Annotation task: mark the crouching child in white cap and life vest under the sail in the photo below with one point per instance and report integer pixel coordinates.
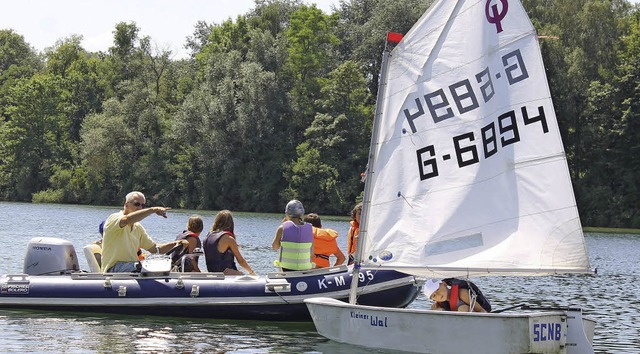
(451, 299)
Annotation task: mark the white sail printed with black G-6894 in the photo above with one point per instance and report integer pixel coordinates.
(470, 176)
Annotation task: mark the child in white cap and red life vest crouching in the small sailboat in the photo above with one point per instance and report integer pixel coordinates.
(453, 294)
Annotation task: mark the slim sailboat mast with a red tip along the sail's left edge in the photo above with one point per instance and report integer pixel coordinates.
(382, 82)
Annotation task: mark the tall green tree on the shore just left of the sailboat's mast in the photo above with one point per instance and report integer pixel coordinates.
(327, 171)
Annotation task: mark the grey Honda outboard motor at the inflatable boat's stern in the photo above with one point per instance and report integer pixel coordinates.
(50, 255)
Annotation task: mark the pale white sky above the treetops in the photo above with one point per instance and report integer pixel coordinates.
(167, 22)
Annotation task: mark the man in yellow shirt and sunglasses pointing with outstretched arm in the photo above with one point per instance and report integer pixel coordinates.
(123, 235)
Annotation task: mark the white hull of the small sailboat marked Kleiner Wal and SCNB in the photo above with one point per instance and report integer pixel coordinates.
(428, 331)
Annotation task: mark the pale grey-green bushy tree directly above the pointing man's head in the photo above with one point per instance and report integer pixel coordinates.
(125, 148)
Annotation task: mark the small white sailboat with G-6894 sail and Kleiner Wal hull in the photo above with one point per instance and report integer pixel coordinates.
(467, 177)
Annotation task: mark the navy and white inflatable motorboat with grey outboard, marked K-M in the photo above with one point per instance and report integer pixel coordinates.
(52, 281)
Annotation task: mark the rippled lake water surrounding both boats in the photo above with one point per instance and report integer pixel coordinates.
(612, 297)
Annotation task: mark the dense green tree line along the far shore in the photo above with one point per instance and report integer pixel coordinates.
(278, 103)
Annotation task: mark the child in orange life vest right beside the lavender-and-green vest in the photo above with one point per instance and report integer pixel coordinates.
(324, 243)
